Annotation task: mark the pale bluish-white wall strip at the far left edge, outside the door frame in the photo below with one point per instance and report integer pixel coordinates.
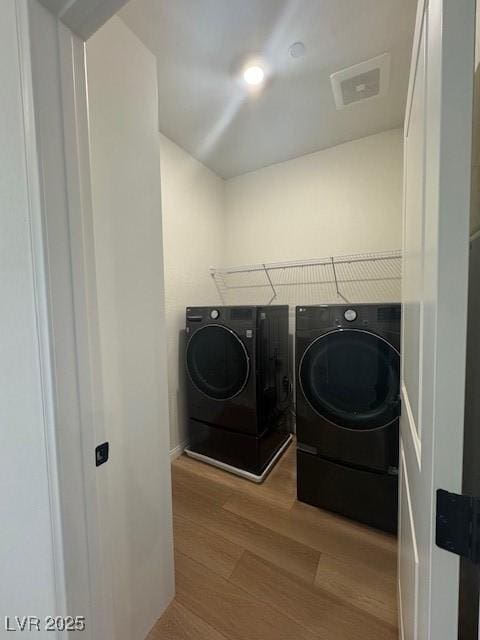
(27, 567)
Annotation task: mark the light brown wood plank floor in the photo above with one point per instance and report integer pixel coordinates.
(252, 563)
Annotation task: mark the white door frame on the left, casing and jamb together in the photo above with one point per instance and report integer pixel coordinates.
(57, 157)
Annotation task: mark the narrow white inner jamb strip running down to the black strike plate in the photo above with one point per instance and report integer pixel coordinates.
(87, 339)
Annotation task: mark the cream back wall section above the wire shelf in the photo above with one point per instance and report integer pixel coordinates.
(342, 200)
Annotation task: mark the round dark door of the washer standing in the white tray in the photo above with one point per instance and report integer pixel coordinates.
(217, 362)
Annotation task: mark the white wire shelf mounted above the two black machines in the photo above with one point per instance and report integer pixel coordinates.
(368, 277)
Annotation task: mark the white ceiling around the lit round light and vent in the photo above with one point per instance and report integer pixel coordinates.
(199, 45)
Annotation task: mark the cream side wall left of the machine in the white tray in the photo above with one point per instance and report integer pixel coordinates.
(193, 241)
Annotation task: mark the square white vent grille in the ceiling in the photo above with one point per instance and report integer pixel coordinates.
(363, 81)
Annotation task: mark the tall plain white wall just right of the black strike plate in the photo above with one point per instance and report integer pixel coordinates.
(122, 83)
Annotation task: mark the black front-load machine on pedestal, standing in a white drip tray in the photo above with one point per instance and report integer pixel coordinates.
(238, 386)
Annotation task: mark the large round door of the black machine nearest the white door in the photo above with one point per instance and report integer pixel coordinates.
(351, 378)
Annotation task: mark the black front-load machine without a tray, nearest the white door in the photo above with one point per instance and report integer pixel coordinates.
(348, 406)
